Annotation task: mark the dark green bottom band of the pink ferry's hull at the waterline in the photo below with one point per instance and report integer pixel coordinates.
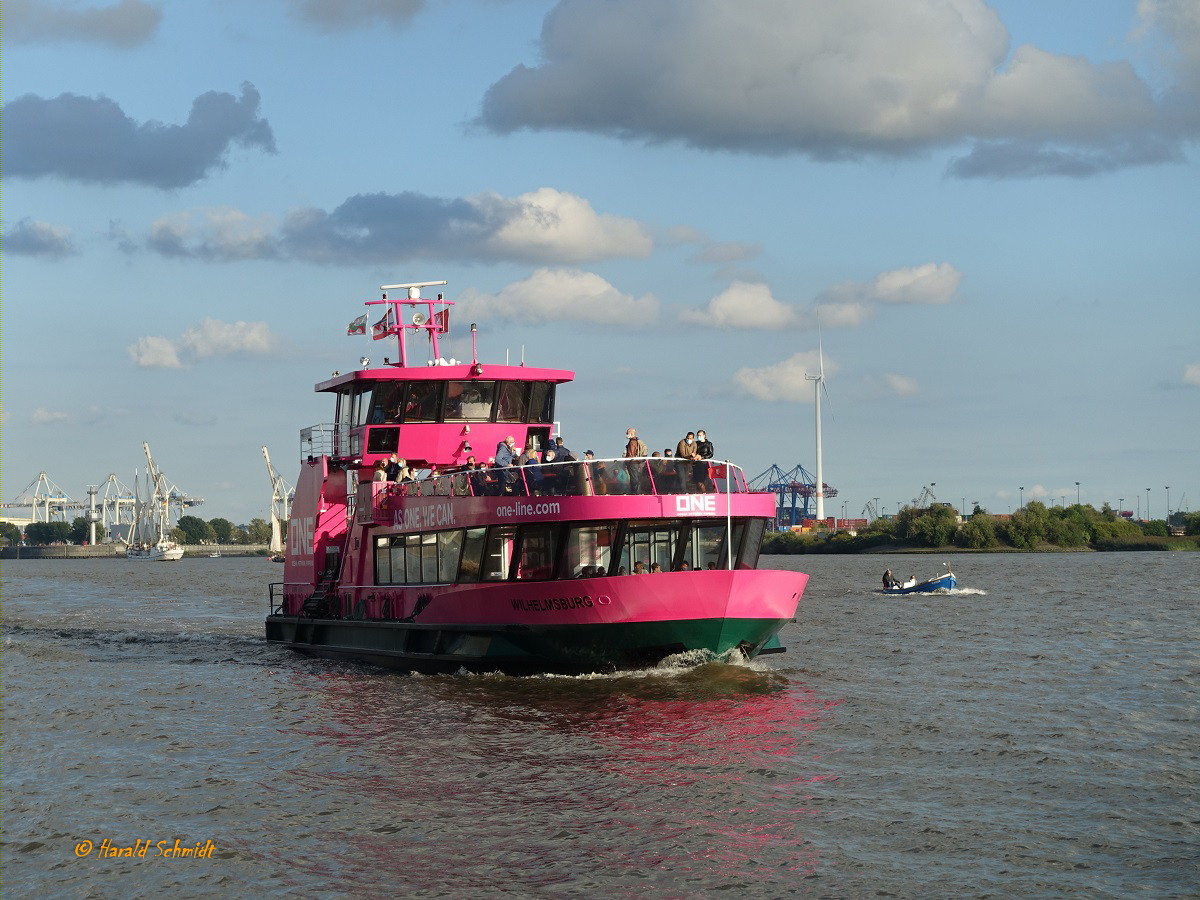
(524, 650)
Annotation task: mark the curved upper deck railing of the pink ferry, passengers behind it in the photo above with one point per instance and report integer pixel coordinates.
(591, 478)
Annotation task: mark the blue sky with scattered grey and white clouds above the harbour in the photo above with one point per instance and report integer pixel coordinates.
(985, 218)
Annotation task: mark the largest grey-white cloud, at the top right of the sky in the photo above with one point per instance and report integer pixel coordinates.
(845, 80)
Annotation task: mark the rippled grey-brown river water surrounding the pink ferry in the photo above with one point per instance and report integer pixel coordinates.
(1034, 734)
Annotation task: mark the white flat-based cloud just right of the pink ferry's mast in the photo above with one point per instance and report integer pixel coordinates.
(562, 295)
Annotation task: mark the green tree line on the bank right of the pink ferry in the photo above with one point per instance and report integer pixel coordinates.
(1034, 527)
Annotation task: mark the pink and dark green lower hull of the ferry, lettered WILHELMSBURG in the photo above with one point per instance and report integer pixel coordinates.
(715, 614)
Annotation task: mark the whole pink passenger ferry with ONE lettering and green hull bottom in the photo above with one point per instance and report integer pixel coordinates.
(527, 569)
